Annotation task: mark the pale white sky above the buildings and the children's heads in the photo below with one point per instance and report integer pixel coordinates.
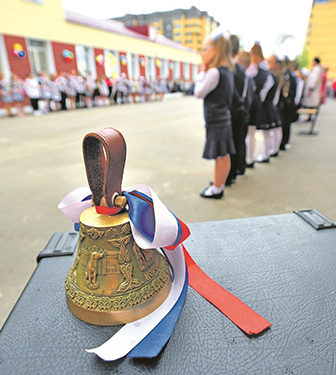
(262, 20)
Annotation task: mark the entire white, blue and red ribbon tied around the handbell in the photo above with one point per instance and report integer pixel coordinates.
(154, 226)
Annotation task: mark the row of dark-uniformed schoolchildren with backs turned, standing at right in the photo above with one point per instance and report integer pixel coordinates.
(244, 92)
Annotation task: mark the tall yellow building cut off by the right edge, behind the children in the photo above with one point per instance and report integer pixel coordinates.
(321, 35)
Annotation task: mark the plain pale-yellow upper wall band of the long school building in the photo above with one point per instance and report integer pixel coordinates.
(46, 21)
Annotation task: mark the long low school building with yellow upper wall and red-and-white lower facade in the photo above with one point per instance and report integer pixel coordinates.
(40, 35)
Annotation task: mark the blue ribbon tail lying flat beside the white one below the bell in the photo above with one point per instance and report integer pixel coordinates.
(154, 342)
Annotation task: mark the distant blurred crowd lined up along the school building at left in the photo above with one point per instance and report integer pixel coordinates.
(63, 91)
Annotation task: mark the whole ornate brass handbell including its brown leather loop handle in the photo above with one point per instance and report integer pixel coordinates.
(113, 281)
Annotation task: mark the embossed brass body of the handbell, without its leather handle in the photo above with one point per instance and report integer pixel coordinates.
(113, 281)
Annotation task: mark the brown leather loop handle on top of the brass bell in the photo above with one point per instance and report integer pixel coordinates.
(104, 154)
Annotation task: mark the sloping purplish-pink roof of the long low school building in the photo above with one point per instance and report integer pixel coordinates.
(119, 28)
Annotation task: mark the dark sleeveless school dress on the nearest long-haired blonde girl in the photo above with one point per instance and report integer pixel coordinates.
(219, 139)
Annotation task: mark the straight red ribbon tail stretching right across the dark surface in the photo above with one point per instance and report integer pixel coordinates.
(239, 313)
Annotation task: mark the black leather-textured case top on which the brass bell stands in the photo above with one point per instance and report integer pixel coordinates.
(278, 265)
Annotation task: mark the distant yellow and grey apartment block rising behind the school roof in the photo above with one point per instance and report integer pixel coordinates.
(188, 27)
